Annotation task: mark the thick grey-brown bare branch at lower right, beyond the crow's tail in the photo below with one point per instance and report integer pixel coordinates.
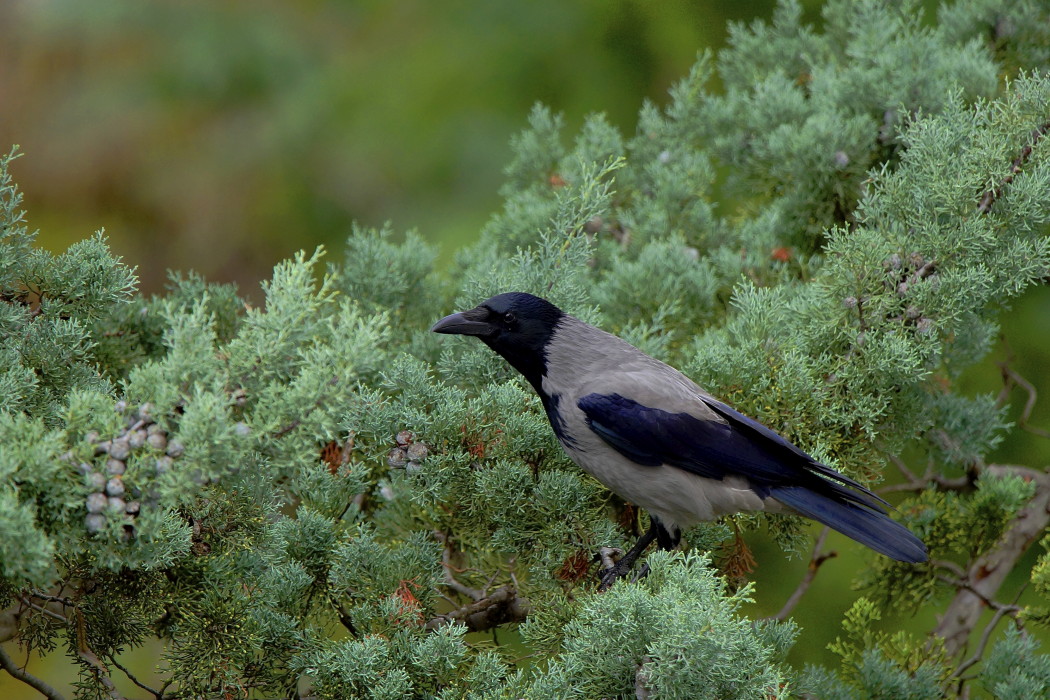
(986, 575)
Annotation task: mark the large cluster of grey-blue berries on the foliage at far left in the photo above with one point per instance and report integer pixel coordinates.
(109, 491)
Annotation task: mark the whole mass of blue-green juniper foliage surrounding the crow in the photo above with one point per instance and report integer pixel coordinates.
(300, 491)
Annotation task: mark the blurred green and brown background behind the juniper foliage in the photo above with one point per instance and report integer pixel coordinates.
(223, 136)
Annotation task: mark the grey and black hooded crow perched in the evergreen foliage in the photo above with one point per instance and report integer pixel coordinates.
(658, 440)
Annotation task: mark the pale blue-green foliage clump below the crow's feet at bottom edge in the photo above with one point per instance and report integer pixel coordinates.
(678, 634)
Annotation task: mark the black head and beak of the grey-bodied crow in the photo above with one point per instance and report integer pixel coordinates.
(515, 325)
